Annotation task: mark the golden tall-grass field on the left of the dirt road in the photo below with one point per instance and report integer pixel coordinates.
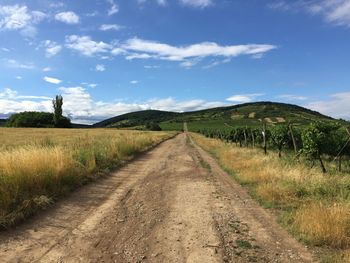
(37, 166)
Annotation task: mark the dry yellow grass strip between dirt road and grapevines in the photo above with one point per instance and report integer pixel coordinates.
(314, 207)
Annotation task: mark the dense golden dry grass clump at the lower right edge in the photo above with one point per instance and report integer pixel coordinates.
(323, 224)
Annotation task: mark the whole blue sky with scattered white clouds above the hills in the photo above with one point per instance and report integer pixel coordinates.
(108, 57)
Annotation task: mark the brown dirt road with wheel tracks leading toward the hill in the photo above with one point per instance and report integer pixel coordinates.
(172, 204)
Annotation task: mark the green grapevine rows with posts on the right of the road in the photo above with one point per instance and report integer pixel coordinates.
(319, 142)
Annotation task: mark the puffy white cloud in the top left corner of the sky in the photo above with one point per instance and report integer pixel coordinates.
(19, 17)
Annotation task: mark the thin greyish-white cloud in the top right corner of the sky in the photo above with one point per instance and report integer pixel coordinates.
(333, 11)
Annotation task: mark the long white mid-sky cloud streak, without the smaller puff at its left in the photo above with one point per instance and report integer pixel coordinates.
(145, 49)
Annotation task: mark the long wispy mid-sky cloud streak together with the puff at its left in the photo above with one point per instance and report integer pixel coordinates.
(188, 56)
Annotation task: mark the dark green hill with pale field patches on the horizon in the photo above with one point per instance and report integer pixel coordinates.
(248, 114)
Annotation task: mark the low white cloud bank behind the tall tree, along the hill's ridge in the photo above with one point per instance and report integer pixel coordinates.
(80, 106)
